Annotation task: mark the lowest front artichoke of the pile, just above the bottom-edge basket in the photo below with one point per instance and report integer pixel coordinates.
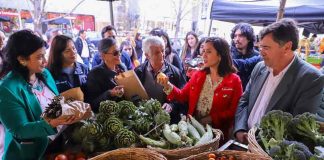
(124, 138)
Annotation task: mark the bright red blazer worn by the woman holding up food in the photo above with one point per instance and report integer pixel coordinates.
(225, 101)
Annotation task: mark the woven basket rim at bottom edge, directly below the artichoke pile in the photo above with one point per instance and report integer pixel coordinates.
(130, 154)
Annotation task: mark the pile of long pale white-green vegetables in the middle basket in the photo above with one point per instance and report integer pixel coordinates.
(184, 134)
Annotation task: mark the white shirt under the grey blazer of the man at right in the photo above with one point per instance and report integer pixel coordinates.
(262, 102)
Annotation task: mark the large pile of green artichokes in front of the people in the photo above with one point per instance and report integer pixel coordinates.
(118, 125)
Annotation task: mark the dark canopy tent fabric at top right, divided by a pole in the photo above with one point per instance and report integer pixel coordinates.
(308, 13)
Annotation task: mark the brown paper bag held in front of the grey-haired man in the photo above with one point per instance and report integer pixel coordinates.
(132, 85)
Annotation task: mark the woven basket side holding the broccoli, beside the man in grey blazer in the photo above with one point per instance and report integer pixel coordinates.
(253, 146)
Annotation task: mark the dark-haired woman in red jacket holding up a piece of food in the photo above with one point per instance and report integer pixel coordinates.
(213, 92)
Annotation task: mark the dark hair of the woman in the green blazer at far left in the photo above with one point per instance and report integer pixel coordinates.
(22, 43)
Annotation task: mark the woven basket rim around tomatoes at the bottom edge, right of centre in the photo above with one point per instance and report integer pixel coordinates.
(239, 155)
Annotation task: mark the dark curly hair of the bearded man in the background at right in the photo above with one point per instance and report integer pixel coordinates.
(247, 31)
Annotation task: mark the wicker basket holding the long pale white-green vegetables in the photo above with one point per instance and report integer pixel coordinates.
(179, 153)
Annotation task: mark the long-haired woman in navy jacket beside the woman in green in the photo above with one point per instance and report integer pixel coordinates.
(66, 71)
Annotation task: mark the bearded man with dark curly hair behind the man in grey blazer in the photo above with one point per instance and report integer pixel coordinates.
(243, 40)
